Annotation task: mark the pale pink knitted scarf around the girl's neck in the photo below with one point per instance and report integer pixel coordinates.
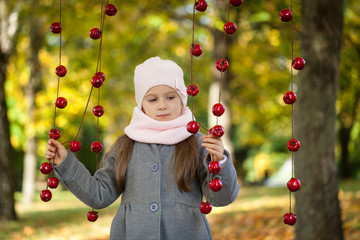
(144, 129)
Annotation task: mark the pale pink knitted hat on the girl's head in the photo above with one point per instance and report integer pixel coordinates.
(156, 71)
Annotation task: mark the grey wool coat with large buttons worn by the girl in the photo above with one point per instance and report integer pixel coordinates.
(152, 207)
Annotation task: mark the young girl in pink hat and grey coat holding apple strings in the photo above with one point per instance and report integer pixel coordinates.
(159, 168)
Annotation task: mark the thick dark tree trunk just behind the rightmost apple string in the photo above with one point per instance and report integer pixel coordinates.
(317, 204)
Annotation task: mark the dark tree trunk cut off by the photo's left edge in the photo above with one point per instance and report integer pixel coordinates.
(8, 26)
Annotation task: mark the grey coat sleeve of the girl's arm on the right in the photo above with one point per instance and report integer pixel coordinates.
(227, 175)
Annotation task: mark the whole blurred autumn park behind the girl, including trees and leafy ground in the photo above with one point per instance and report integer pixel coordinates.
(326, 122)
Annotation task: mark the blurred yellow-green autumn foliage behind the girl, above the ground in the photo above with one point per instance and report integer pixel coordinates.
(259, 74)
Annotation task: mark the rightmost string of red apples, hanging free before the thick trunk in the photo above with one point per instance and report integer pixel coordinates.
(294, 184)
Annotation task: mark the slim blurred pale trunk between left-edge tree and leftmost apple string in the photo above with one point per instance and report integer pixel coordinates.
(36, 39)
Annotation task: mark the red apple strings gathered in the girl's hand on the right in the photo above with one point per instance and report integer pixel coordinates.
(218, 109)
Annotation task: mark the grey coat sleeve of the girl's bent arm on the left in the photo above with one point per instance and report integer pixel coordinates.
(97, 191)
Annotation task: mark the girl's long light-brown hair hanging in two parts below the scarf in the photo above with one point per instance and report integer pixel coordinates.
(186, 160)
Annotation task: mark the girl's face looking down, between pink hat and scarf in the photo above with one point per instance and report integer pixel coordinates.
(162, 103)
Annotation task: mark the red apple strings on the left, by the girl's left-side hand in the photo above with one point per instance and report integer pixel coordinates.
(96, 81)
